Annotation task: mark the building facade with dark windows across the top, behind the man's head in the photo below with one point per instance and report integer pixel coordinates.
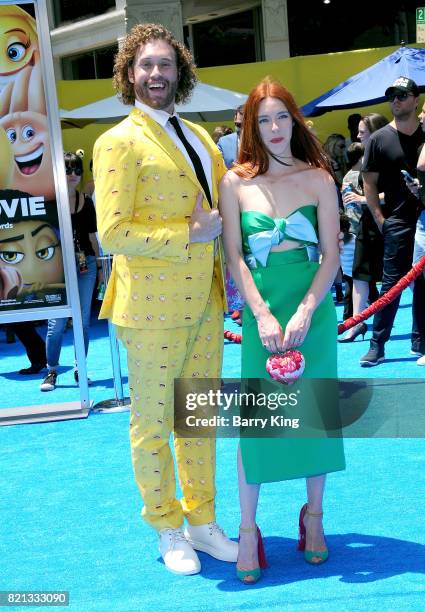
(86, 33)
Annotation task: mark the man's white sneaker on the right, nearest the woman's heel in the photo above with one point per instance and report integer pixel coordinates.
(210, 538)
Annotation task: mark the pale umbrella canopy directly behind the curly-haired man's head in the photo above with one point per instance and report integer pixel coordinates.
(207, 103)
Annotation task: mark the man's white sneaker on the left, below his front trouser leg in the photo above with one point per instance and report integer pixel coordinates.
(179, 556)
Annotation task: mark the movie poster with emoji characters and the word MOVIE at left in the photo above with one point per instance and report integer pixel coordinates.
(31, 264)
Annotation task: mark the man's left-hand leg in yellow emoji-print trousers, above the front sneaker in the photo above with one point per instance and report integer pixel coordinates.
(155, 358)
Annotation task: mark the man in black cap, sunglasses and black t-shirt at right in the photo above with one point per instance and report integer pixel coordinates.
(390, 150)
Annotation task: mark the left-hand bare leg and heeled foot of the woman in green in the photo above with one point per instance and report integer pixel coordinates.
(248, 498)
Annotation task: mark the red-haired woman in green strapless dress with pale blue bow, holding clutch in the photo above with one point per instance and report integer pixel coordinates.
(275, 202)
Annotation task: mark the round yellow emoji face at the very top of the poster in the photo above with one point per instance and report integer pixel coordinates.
(18, 42)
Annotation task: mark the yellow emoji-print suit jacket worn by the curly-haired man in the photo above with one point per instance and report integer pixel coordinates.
(145, 194)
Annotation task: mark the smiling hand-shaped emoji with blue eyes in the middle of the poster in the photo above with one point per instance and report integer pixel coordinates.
(28, 136)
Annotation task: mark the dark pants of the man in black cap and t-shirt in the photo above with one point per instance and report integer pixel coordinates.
(398, 254)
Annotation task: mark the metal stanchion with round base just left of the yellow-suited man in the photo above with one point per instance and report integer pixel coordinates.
(119, 403)
